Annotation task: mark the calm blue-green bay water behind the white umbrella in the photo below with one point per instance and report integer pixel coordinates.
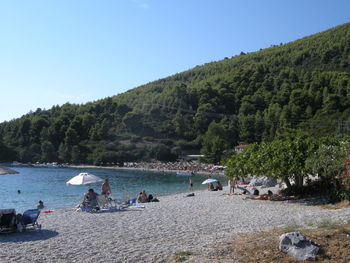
(49, 185)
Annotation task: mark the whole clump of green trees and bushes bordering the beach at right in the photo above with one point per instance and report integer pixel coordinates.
(294, 160)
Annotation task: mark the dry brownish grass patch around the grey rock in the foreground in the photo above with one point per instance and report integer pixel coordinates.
(333, 240)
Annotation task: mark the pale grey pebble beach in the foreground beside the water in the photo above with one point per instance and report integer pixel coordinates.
(158, 231)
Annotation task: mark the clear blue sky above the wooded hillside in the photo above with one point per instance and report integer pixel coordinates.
(53, 52)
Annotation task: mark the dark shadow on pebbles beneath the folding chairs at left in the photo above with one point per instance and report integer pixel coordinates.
(27, 236)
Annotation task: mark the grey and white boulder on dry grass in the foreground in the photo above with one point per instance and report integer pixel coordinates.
(298, 246)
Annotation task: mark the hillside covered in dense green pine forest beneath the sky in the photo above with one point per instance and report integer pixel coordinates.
(302, 86)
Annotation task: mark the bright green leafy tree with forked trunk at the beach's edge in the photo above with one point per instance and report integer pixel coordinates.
(281, 159)
